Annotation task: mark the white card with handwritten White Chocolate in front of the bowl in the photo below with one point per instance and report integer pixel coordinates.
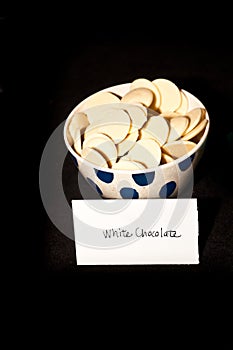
(136, 231)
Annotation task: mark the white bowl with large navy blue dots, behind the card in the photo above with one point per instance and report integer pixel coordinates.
(171, 180)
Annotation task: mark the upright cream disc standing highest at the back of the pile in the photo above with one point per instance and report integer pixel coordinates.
(170, 95)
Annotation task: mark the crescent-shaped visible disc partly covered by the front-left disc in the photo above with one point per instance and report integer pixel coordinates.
(104, 145)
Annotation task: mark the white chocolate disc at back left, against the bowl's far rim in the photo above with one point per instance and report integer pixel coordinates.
(98, 98)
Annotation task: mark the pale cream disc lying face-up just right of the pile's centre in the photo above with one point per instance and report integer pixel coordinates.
(156, 128)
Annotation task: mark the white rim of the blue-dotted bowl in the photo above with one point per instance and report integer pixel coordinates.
(175, 162)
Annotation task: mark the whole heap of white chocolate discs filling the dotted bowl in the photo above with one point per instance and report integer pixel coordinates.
(148, 126)
